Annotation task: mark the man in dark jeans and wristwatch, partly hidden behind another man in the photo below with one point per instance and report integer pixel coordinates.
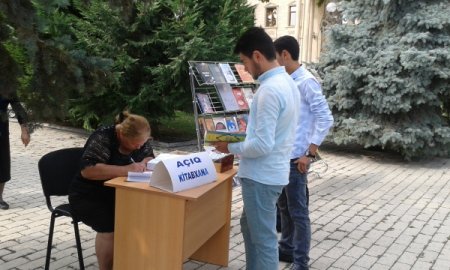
(314, 122)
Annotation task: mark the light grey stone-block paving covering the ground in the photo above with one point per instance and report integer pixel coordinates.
(368, 211)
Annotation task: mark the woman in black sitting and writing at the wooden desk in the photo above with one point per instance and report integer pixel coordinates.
(108, 153)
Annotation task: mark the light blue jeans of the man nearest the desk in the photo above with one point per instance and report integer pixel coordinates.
(258, 223)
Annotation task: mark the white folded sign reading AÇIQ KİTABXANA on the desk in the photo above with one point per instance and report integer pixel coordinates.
(184, 172)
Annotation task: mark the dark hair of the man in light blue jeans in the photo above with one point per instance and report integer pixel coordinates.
(255, 39)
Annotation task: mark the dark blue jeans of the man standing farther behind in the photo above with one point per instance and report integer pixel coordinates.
(295, 223)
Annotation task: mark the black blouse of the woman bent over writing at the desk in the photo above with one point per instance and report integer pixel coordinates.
(103, 147)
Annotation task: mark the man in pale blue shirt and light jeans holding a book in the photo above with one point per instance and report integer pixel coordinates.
(265, 153)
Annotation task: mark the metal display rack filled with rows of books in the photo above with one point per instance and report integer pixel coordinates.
(223, 93)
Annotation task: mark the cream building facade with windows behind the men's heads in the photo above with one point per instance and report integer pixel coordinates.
(301, 19)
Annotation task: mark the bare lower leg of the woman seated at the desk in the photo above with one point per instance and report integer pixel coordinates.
(104, 248)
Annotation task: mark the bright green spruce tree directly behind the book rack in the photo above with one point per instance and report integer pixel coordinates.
(150, 46)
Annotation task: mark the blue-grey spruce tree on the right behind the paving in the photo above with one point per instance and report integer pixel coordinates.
(387, 78)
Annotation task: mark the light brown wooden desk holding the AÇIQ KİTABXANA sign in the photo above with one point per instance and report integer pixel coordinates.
(159, 230)
